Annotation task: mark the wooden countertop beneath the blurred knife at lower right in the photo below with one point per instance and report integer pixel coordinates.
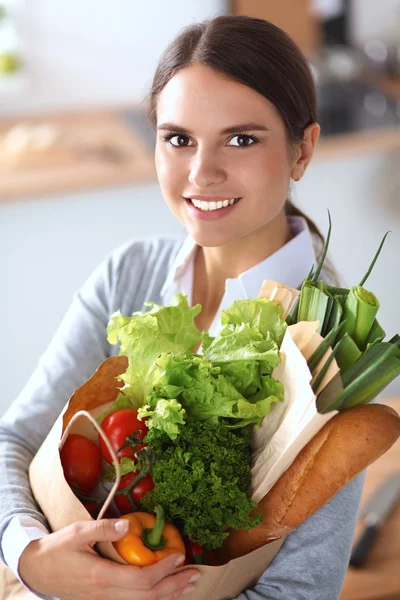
(379, 579)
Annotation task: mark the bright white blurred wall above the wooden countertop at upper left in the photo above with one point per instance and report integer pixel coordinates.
(93, 52)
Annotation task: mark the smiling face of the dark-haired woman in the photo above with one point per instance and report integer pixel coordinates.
(219, 140)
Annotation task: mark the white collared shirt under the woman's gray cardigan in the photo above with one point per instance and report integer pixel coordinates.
(289, 265)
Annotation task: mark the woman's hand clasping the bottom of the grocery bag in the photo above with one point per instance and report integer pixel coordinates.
(65, 565)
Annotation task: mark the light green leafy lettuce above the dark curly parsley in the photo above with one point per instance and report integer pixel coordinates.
(231, 382)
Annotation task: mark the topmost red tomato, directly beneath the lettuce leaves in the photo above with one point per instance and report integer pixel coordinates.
(118, 426)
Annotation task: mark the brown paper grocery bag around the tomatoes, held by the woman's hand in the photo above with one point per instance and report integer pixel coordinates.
(61, 507)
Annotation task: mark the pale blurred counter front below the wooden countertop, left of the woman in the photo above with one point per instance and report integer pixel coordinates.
(48, 247)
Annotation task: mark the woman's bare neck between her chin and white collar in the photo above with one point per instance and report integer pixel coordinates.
(214, 265)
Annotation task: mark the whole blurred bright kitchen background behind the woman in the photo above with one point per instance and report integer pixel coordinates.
(76, 161)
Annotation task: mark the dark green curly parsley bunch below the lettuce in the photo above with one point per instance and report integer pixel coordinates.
(202, 478)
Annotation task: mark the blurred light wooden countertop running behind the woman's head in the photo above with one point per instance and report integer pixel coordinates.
(111, 147)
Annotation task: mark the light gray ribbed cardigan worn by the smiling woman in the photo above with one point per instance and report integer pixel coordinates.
(312, 562)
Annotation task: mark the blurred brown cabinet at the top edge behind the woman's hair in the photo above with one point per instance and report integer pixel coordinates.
(294, 17)
